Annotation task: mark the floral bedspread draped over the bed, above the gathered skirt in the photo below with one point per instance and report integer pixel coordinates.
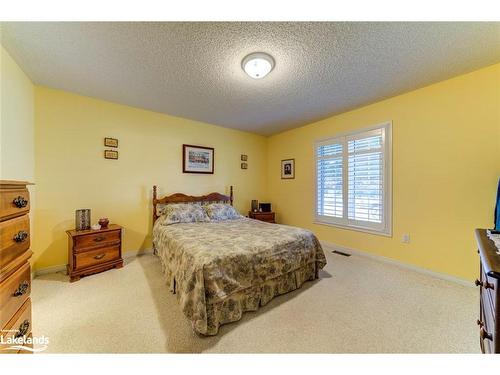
(206, 263)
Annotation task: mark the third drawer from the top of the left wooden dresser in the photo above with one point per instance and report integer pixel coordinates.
(14, 291)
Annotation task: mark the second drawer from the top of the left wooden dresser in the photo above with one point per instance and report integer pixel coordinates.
(14, 238)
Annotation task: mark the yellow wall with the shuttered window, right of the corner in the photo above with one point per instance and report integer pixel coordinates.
(446, 164)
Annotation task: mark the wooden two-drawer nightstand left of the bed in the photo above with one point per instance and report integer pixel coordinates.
(92, 251)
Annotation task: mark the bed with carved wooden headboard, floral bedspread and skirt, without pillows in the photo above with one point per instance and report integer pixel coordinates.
(219, 269)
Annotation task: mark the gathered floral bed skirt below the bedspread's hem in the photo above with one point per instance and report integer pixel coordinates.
(231, 309)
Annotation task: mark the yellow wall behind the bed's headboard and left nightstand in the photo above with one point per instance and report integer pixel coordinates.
(71, 172)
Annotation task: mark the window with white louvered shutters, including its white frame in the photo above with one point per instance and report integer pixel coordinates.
(354, 179)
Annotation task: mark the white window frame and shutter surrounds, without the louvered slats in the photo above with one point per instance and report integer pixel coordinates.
(385, 228)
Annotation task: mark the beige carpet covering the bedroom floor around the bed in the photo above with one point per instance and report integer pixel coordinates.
(358, 306)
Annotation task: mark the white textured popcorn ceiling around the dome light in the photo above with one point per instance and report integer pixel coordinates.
(193, 70)
